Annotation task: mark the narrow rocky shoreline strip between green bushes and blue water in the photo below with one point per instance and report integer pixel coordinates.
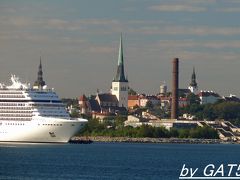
(150, 140)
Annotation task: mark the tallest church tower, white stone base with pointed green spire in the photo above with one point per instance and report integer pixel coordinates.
(120, 83)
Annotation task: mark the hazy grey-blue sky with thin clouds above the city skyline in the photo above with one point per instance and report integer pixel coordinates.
(78, 41)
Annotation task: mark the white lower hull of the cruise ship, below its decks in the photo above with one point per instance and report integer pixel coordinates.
(45, 130)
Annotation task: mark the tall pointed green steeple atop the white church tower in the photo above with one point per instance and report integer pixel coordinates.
(120, 76)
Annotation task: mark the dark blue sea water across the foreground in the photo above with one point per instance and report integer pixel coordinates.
(109, 160)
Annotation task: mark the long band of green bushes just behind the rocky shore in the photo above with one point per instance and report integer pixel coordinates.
(95, 128)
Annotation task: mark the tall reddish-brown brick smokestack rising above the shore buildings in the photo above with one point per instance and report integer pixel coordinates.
(174, 109)
